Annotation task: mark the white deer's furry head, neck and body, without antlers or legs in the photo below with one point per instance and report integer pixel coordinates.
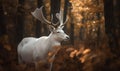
(33, 50)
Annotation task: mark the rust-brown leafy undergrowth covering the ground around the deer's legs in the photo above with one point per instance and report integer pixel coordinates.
(70, 58)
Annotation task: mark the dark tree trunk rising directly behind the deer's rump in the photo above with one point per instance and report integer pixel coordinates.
(20, 21)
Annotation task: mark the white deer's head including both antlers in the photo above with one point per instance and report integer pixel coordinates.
(56, 29)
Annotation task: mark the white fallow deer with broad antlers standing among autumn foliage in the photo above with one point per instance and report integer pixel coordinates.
(35, 50)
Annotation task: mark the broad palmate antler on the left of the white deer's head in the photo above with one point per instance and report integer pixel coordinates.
(38, 14)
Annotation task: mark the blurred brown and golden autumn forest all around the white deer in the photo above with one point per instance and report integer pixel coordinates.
(93, 27)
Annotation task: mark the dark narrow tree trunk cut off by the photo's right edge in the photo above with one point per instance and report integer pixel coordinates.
(117, 22)
